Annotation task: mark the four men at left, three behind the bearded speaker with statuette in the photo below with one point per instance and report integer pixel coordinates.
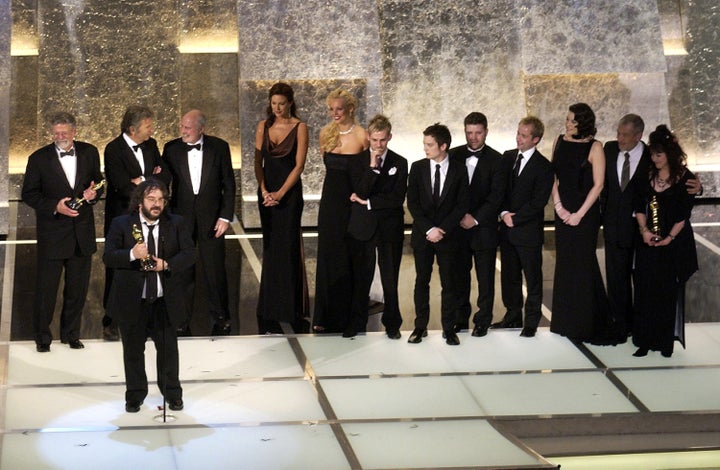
(149, 273)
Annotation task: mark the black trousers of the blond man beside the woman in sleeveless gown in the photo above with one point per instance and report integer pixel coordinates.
(517, 260)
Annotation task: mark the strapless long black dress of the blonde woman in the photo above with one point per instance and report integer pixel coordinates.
(333, 285)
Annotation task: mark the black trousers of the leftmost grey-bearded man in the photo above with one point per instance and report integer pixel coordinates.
(77, 278)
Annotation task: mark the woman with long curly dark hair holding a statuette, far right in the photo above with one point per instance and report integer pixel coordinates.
(666, 257)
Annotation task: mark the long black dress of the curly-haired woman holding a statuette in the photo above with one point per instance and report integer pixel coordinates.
(661, 271)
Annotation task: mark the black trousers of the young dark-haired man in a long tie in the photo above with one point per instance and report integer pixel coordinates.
(424, 258)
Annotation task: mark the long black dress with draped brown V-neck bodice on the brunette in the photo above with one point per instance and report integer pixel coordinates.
(283, 284)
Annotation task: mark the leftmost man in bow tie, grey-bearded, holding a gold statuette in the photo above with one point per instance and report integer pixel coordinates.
(55, 174)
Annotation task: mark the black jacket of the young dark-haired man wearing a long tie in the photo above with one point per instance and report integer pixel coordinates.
(453, 204)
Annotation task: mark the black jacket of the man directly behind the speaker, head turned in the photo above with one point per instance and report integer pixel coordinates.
(121, 166)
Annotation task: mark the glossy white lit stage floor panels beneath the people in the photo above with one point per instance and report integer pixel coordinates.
(312, 402)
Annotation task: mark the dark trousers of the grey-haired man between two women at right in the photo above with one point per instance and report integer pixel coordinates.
(618, 268)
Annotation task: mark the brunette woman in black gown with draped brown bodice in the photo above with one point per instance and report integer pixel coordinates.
(281, 143)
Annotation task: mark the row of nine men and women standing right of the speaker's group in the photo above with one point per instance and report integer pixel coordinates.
(466, 202)
